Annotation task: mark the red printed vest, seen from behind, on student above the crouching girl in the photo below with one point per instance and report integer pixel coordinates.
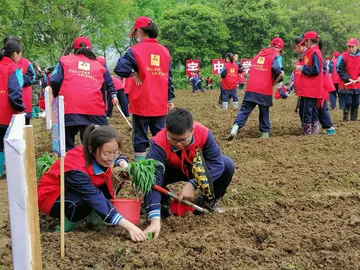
(81, 87)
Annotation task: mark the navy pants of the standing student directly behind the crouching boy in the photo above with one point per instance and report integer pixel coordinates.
(141, 124)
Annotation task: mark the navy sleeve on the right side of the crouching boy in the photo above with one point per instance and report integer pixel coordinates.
(213, 157)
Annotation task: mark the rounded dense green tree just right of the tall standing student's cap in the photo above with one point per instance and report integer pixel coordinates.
(194, 31)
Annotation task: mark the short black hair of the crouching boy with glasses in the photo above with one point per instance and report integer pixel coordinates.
(178, 121)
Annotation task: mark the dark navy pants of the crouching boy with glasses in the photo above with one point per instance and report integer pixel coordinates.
(173, 175)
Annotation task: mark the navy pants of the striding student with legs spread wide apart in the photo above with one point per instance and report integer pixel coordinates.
(264, 115)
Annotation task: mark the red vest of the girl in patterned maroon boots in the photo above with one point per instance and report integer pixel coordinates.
(311, 86)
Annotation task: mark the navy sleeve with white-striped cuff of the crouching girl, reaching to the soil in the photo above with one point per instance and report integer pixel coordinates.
(81, 183)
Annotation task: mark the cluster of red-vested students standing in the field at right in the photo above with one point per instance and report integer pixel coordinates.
(314, 80)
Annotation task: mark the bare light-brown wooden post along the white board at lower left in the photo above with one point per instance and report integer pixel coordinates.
(32, 201)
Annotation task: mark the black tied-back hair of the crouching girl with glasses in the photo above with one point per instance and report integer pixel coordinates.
(96, 136)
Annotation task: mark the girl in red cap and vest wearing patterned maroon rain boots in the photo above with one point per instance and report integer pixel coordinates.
(309, 83)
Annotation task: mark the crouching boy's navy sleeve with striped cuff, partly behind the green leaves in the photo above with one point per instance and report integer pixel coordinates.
(153, 199)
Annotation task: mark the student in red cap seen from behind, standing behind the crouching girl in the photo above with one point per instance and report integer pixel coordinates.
(79, 77)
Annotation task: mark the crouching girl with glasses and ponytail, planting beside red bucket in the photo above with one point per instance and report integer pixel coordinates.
(88, 184)
